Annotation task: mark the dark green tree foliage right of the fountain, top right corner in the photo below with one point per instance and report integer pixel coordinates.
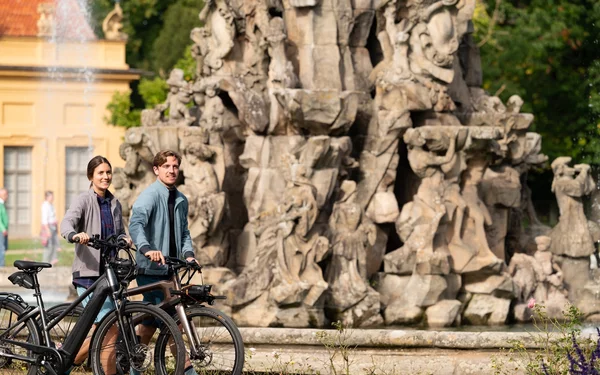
(547, 52)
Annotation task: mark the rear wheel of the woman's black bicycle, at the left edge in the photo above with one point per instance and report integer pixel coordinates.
(28, 332)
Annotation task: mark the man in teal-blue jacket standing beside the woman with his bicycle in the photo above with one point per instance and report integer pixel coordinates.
(159, 228)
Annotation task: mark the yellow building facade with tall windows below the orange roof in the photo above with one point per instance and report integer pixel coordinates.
(53, 99)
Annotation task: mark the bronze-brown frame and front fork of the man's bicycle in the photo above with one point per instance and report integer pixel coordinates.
(170, 300)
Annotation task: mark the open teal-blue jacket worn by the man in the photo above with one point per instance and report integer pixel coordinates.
(149, 227)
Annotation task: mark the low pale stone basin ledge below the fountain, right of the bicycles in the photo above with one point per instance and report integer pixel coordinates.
(298, 351)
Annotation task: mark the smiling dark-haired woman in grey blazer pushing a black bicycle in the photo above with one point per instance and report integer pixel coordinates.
(96, 211)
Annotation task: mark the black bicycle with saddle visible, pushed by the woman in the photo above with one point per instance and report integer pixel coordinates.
(26, 342)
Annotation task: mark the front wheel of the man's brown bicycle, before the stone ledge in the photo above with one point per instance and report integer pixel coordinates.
(221, 349)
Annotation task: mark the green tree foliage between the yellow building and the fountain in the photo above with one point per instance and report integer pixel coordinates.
(159, 40)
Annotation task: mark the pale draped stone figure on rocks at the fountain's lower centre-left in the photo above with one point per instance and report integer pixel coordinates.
(284, 272)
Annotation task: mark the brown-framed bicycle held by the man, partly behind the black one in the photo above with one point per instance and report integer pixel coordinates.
(213, 342)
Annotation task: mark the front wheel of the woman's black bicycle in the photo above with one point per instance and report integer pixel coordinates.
(109, 353)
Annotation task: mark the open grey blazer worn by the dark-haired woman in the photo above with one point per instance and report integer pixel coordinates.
(84, 216)
